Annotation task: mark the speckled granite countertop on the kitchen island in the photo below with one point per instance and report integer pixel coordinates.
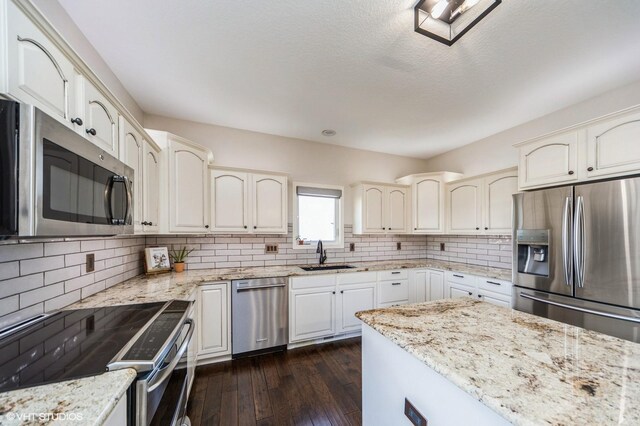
(528, 369)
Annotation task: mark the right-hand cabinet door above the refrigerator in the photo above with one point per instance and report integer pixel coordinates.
(613, 147)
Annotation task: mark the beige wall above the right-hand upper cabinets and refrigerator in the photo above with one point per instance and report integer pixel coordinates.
(497, 152)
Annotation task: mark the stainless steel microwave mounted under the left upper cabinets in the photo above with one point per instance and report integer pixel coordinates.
(56, 183)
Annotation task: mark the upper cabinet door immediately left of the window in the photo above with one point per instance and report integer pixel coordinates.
(269, 204)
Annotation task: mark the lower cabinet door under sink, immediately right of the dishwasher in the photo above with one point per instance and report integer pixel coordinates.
(312, 314)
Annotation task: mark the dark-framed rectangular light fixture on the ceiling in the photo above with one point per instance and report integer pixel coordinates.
(448, 20)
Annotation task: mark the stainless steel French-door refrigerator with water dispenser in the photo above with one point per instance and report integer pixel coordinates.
(576, 255)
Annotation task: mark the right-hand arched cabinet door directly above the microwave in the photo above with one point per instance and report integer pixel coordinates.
(100, 119)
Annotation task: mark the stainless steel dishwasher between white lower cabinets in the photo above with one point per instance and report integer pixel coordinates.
(259, 315)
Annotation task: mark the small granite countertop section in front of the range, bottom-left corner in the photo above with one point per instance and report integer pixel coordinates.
(89, 400)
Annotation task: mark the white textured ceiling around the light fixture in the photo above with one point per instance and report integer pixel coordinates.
(294, 68)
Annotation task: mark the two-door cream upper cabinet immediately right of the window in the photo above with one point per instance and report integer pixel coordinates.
(380, 208)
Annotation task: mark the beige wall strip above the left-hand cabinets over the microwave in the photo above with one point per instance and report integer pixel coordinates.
(63, 23)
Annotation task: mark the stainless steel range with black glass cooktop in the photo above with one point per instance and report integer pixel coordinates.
(152, 338)
